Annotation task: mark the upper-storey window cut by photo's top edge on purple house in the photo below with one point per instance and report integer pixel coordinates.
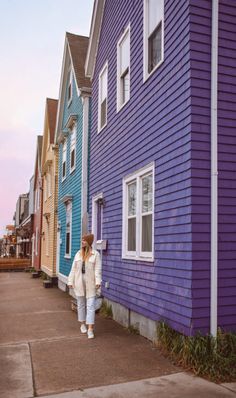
(153, 35)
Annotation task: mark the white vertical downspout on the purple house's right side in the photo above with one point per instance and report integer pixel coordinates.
(214, 168)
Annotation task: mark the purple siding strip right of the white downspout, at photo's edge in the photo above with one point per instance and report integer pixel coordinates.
(227, 165)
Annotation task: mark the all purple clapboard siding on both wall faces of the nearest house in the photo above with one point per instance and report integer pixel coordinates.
(167, 121)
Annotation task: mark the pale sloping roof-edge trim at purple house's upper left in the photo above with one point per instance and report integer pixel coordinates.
(96, 23)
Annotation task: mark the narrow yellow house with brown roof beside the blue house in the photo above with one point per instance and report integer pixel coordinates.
(50, 191)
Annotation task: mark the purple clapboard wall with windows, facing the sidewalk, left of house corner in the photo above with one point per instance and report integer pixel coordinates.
(154, 126)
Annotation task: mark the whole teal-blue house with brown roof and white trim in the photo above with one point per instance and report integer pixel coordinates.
(72, 130)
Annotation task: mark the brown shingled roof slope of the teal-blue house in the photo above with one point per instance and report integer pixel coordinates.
(78, 46)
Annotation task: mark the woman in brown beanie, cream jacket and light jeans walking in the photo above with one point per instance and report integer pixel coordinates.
(85, 278)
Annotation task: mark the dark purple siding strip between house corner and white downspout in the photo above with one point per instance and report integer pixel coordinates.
(200, 17)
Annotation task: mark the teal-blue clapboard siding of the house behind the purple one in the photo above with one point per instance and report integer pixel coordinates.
(72, 184)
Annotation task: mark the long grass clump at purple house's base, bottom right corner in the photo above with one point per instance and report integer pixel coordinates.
(206, 356)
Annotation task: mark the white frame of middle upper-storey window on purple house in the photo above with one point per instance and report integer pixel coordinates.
(120, 105)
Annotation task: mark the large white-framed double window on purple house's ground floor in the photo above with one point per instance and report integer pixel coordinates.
(138, 194)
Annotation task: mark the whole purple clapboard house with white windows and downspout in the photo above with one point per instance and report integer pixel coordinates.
(163, 161)
